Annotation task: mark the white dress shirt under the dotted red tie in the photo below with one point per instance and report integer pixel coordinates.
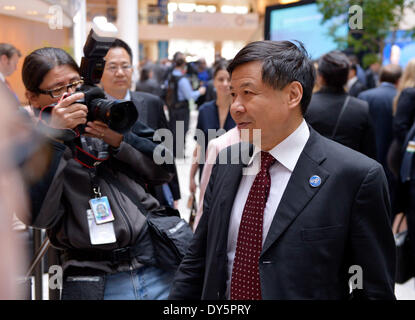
(286, 153)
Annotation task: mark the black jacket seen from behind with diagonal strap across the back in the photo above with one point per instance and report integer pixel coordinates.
(355, 129)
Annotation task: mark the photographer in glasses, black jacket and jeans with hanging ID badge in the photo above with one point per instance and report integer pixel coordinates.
(111, 259)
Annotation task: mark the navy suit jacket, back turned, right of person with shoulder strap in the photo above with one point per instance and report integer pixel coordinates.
(380, 101)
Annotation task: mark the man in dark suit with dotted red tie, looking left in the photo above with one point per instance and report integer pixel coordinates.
(314, 214)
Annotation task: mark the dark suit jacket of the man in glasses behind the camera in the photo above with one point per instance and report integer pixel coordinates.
(151, 112)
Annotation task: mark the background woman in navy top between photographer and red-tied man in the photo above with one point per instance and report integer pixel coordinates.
(213, 115)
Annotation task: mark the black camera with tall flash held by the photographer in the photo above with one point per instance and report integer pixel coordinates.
(119, 115)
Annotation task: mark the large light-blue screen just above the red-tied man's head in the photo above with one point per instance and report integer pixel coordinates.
(303, 23)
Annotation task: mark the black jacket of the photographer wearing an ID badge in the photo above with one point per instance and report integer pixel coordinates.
(60, 200)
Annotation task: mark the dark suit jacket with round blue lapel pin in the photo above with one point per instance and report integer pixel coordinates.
(317, 234)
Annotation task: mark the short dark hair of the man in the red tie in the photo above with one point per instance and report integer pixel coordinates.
(282, 63)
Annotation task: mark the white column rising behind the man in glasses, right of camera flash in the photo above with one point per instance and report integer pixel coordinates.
(127, 23)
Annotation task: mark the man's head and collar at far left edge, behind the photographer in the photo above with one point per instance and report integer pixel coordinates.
(9, 58)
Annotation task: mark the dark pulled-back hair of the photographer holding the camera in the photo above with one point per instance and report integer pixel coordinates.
(37, 64)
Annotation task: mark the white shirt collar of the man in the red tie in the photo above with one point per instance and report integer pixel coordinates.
(288, 151)
